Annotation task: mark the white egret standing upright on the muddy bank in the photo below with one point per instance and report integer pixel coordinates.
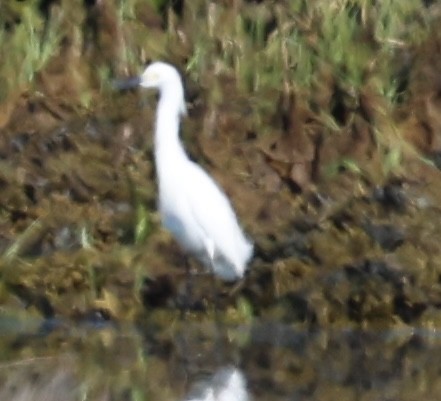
(192, 206)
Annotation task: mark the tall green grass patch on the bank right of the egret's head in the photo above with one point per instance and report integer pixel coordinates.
(353, 39)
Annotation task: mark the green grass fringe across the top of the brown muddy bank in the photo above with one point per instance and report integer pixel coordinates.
(348, 47)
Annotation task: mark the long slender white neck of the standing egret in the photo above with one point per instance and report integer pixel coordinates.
(168, 147)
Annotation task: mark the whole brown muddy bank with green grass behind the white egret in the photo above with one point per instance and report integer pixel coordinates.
(320, 121)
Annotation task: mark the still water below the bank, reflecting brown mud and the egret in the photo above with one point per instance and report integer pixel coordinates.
(275, 361)
